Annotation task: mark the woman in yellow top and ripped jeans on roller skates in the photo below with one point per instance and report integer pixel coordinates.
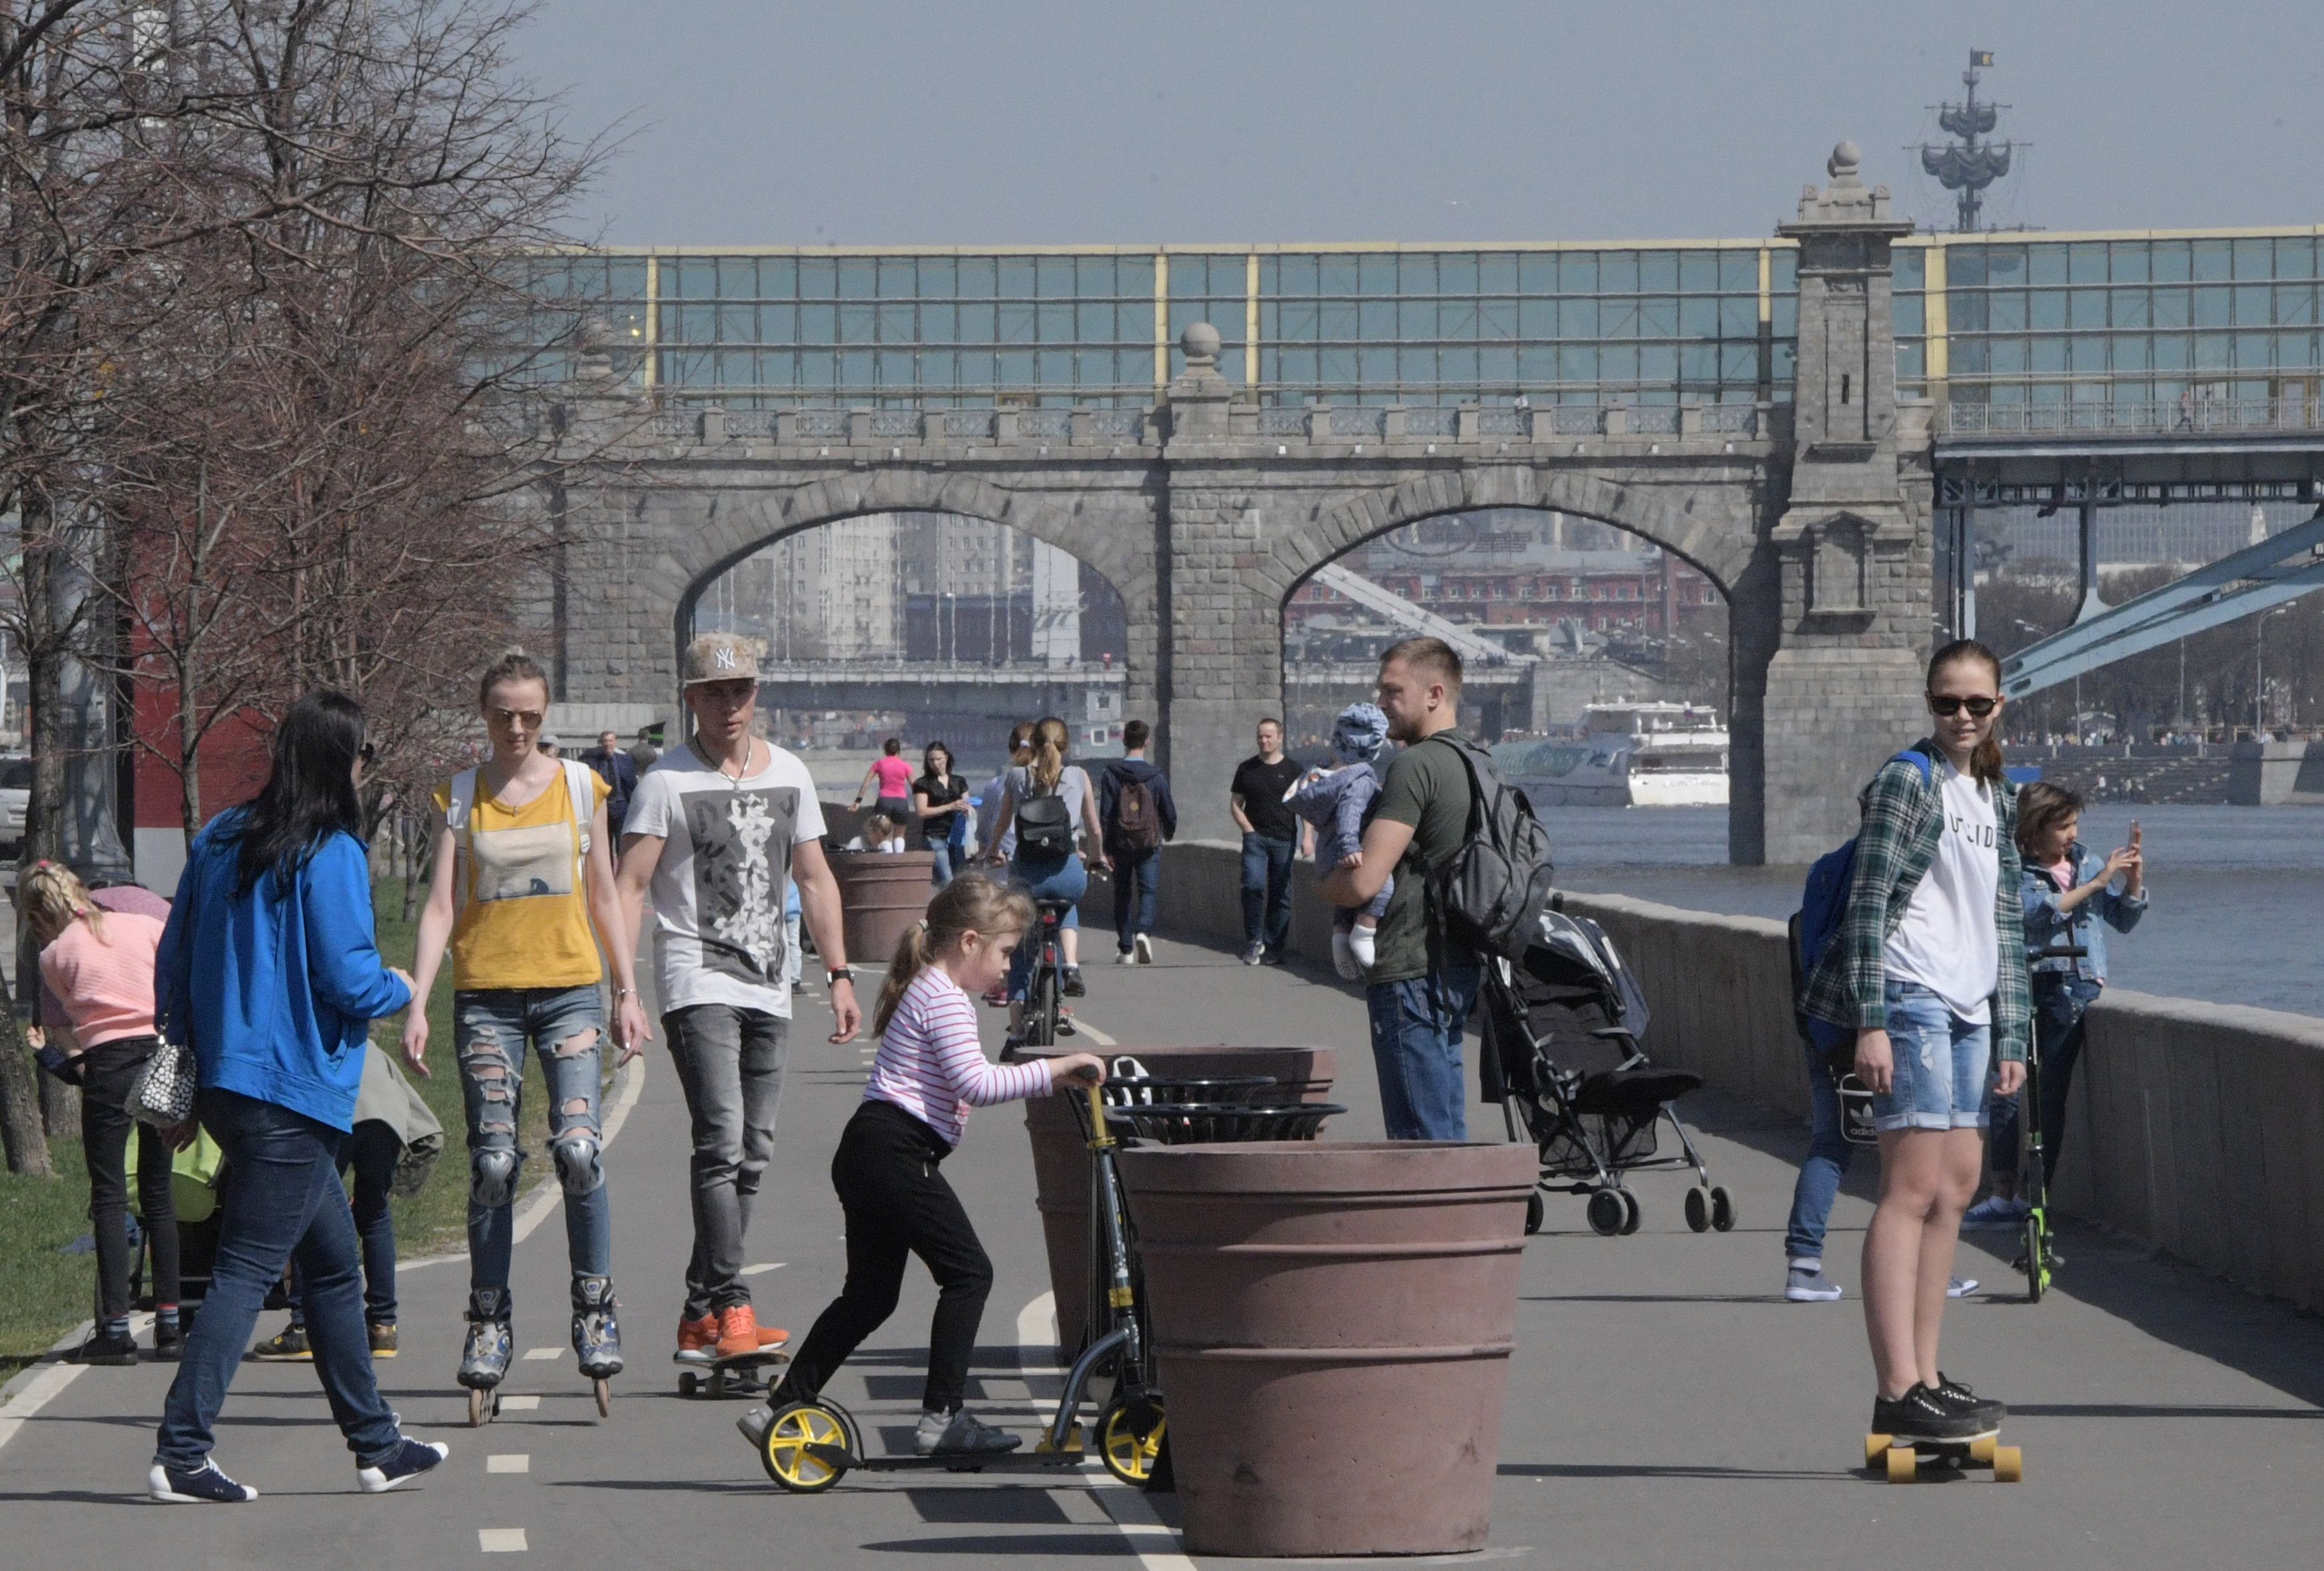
(526, 840)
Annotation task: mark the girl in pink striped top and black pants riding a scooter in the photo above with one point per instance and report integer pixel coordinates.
(926, 1077)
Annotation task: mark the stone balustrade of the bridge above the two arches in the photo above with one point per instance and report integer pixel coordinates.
(1307, 424)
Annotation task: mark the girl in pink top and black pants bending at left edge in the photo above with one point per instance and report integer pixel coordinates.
(101, 968)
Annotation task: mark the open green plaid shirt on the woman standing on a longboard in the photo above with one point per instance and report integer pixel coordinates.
(1895, 847)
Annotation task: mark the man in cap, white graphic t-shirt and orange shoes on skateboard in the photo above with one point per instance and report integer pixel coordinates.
(715, 833)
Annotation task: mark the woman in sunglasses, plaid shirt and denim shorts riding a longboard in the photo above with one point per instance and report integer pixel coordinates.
(1928, 970)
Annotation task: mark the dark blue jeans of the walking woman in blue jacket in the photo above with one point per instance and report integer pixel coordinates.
(282, 1203)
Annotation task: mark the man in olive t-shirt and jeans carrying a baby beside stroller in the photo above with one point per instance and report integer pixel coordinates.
(1423, 984)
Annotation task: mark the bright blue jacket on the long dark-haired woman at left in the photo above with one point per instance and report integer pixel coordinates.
(275, 991)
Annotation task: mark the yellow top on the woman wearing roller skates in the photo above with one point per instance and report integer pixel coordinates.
(524, 917)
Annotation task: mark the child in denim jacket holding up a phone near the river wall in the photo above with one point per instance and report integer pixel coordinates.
(2070, 903)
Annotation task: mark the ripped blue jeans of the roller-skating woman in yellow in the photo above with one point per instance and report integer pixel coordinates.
(492, 1031)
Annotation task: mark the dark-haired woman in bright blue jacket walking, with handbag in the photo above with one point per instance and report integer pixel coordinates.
(271, 973)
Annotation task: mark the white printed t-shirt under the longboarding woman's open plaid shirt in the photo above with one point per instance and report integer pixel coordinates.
(1946, 940)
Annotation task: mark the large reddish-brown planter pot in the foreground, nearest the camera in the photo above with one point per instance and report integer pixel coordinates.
(1333, 1326)
